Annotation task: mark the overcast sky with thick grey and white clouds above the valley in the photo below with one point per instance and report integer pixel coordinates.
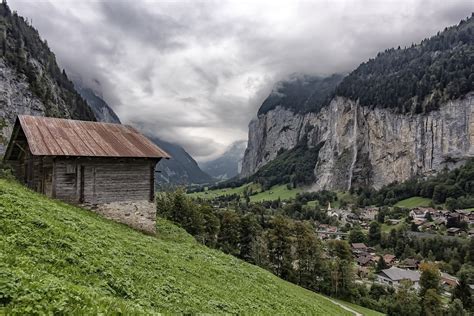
(195, 72)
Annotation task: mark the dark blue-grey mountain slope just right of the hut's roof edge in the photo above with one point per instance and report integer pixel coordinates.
(181, 169)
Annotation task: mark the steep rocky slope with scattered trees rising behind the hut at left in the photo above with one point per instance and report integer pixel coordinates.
(31, 81)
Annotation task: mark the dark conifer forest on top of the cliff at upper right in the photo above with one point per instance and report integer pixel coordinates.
(419, 78)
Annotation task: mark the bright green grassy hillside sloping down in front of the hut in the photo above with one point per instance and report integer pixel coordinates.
(56, 258)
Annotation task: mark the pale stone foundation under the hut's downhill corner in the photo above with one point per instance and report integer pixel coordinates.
(140, 215)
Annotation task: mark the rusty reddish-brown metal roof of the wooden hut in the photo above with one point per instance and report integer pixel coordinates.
(48, 136)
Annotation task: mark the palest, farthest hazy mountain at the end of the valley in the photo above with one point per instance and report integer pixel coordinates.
(228, 164)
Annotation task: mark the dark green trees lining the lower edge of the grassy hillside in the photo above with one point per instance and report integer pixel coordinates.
(291, 249)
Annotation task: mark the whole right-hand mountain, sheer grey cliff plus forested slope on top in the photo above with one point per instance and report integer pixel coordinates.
(374, 145)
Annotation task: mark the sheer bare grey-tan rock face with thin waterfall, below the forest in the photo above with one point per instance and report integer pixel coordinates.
(364, 146)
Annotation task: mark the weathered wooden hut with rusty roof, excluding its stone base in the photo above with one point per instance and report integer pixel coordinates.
(83, 162)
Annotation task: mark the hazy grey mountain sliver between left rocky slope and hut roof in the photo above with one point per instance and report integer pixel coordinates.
(102, 111)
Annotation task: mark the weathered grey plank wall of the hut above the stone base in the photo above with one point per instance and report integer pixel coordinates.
(103, 180)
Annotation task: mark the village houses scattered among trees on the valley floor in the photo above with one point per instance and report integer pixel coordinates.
(377, 265)
